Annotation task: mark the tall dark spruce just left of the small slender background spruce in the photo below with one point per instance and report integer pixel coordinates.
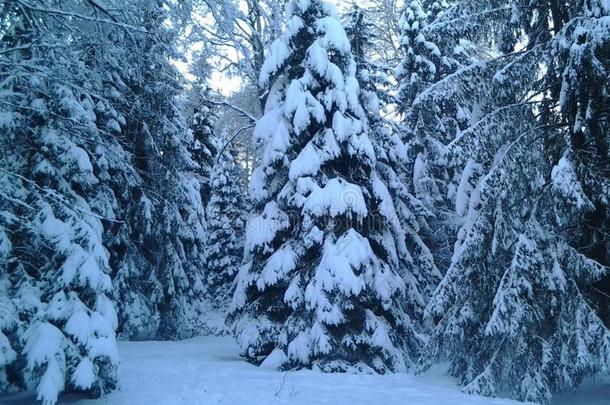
(161, 290)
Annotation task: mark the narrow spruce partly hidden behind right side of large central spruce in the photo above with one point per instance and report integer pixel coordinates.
(415, 259)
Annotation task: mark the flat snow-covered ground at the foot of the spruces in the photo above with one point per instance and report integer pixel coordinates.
(207, 370)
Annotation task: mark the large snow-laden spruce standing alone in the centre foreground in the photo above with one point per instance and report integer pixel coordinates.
(320, 284)
